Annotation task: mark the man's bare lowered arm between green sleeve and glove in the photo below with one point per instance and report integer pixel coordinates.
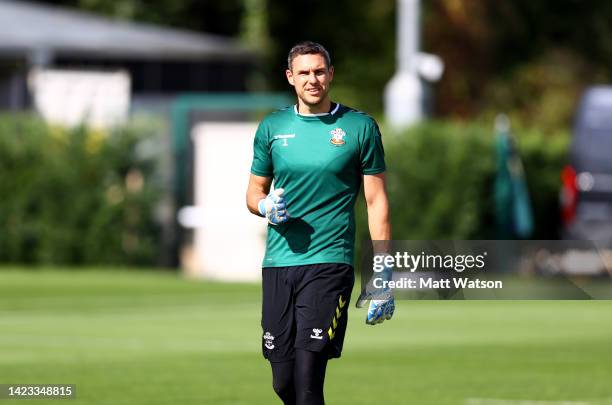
(378, 210)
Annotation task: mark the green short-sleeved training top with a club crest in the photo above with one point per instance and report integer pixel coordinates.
(318, 159)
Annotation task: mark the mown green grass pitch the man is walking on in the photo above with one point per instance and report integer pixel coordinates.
(154, 338)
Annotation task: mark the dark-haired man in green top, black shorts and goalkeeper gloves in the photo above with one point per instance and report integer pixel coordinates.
(317, 153)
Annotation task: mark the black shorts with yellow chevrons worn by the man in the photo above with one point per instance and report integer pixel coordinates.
(305, 307)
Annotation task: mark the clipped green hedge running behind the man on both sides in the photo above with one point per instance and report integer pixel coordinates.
(80, 196)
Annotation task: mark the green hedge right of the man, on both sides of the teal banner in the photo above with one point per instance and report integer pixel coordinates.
(440, 178)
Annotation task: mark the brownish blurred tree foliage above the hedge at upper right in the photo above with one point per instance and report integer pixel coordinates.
(530, 59)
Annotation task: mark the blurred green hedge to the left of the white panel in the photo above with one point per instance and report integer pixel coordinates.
(75, 196)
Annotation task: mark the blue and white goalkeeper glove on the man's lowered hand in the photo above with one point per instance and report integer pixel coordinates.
(382, 302)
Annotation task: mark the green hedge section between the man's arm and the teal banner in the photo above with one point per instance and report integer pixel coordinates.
(439, 177)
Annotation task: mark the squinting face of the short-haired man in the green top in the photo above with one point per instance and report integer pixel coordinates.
(311, 78)
